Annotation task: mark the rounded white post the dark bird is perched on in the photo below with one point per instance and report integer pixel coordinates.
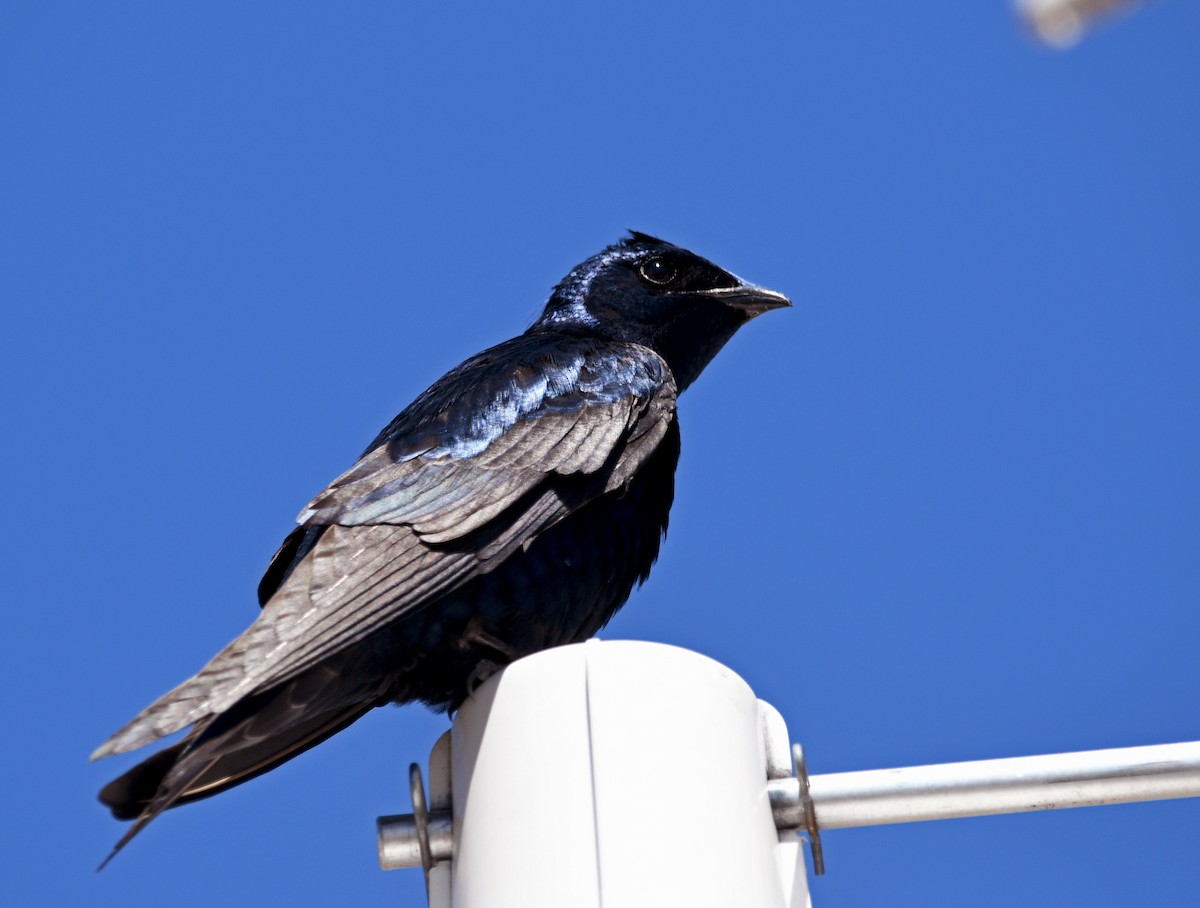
(611, 774)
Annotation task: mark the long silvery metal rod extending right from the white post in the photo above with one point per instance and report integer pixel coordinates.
(993, 786)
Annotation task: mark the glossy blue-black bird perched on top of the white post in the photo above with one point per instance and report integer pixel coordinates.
(512, 508)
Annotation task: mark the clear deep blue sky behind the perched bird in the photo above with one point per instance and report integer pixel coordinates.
(947, 508)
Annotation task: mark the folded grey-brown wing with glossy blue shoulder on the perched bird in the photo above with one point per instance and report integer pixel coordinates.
(433, 506)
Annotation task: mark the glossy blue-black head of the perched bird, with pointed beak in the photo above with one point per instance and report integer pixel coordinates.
(646, 291)
